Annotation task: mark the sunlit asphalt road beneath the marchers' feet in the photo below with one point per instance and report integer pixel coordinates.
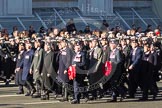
(9, 99)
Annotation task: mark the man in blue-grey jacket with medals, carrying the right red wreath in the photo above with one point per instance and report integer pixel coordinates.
(116, 59)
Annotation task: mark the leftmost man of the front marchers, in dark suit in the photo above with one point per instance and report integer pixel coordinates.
(18, 77)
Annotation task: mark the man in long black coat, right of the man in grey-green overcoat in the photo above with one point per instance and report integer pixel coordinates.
(48, 72)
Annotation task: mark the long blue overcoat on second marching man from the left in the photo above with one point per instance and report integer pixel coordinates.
(28, 57)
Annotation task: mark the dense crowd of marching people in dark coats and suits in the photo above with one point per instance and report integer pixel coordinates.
(40, 61)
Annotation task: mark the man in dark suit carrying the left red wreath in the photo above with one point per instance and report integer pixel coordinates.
(79, 61)
